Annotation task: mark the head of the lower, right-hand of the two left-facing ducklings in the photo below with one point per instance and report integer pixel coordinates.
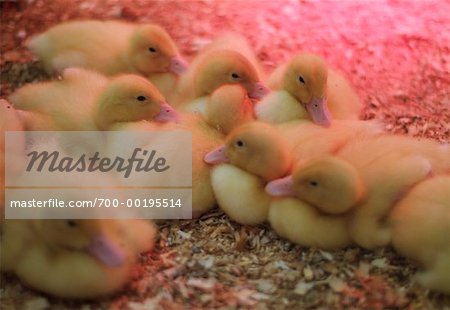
(330, 184)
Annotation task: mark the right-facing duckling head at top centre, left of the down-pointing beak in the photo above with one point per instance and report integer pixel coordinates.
(213, 68)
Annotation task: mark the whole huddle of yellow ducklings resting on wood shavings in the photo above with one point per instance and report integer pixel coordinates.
(288, 149)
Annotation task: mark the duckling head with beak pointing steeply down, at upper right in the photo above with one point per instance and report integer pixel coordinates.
(306, 80)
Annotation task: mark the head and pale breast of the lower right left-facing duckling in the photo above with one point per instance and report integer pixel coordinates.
(312, 210)
